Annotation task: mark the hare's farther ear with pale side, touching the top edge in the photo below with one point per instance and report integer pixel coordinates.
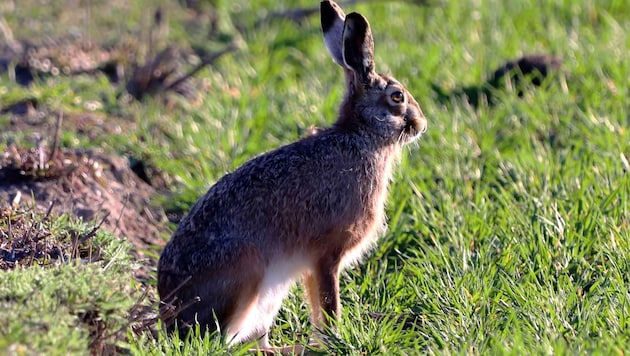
(332, 26)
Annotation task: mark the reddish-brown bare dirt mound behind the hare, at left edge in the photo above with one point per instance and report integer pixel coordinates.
(96, 187)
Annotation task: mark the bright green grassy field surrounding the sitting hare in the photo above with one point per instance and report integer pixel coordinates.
(509, 222)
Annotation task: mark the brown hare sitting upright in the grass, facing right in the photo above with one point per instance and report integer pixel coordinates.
(305, 210)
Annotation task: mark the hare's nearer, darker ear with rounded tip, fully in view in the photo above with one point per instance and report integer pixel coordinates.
(358, 47)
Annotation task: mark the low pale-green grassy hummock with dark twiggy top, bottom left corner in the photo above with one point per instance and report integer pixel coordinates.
(58, 305)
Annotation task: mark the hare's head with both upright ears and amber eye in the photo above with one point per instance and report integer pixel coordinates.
(374, 102)
